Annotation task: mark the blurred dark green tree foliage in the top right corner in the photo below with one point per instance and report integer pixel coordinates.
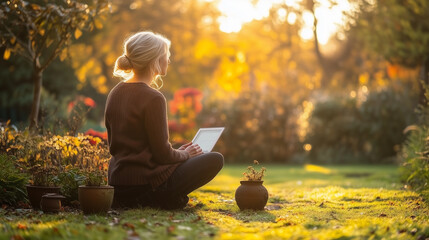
(398, 30)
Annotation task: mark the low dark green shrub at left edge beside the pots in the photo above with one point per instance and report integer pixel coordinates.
(12, 181)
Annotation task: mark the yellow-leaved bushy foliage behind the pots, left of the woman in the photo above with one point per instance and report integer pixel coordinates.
(66, 161)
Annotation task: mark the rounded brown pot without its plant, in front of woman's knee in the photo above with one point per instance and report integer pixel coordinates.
(251, 195)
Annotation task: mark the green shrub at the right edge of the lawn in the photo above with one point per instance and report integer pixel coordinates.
(415, 150)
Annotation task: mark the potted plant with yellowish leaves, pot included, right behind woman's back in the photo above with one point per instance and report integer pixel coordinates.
(95, 196)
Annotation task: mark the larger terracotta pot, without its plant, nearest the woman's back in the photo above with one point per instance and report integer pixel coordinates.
(95, 199)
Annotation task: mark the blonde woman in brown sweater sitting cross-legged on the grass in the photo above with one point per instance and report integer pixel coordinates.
(144, 169)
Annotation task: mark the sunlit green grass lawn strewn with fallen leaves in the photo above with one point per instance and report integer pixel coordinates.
(337, 202)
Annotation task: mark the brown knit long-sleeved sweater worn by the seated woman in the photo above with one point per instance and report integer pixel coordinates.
(136, 122)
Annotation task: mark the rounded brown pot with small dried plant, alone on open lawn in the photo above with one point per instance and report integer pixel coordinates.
(251, 194)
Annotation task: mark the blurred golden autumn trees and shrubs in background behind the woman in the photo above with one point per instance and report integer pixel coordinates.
(292, 81)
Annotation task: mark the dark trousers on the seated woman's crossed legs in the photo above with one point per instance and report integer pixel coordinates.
(172, 194)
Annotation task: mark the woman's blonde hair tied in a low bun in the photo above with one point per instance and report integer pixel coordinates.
(142, 52)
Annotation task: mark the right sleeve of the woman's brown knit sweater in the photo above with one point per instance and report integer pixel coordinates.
(157, 131)
